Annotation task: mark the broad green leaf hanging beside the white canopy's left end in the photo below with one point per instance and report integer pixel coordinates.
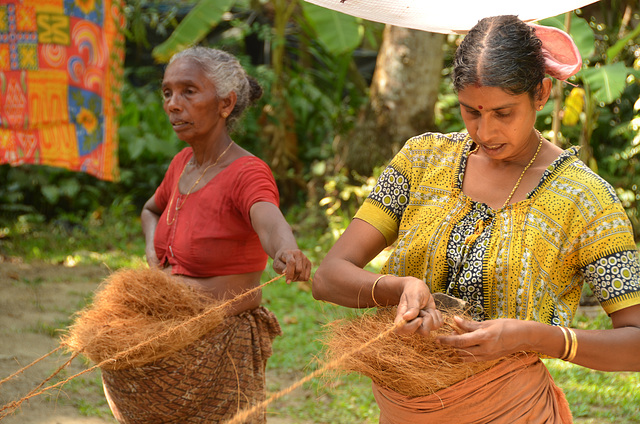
(338, 32)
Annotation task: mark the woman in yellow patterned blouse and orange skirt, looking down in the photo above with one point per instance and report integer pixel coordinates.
(505, 220)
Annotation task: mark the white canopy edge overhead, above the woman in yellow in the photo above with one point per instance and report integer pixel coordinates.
(448, 16)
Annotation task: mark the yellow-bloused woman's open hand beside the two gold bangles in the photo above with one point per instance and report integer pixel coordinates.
(487, 340)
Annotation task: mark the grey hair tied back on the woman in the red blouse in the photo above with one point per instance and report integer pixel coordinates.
(227, 75)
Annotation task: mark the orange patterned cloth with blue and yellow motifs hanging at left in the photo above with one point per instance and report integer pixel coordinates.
(60, 76)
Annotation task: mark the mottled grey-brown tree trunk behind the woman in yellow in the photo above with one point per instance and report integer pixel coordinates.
(403, 94)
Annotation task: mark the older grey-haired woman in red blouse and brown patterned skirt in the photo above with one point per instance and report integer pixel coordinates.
(211, 223)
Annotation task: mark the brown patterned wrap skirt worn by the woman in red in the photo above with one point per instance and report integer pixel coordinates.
(210, 381)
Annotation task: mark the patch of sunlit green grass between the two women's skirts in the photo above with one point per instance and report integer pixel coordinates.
(298, 352)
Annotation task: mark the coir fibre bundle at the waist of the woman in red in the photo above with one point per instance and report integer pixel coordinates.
(139, 316)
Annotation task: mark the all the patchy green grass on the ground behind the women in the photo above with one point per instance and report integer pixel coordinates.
(116, 241)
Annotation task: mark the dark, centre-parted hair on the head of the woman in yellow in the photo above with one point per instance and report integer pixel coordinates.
(503, 52)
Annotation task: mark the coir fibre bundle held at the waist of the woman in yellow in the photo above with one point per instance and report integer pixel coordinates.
(411, 365)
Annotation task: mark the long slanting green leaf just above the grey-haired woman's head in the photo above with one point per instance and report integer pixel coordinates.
(193, 28)
